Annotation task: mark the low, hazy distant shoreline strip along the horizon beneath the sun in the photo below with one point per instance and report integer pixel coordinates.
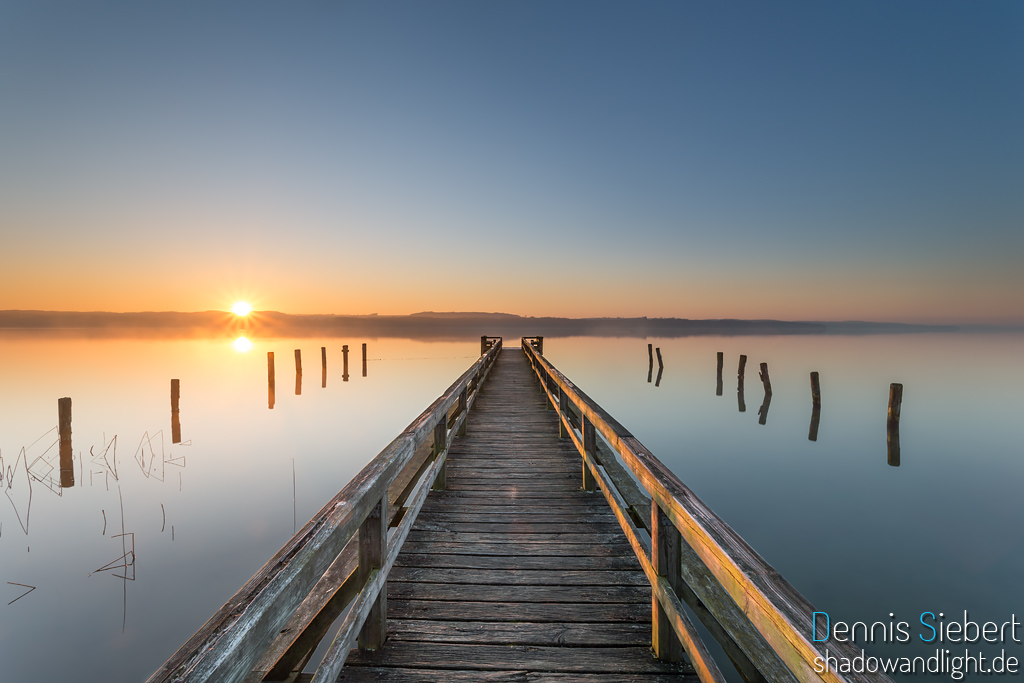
(429, 326)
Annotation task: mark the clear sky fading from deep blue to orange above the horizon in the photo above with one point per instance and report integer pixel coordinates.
(795, 161)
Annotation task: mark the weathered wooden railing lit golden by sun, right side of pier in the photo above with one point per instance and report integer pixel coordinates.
(691, 556)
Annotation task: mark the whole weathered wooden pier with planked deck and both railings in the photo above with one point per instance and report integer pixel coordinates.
(515, 532)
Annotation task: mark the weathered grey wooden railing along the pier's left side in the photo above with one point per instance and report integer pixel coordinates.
(337, 566)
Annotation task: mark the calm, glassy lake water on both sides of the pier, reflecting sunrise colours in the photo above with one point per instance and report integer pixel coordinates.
(154, 537)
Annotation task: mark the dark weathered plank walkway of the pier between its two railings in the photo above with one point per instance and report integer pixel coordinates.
(515, 573)
